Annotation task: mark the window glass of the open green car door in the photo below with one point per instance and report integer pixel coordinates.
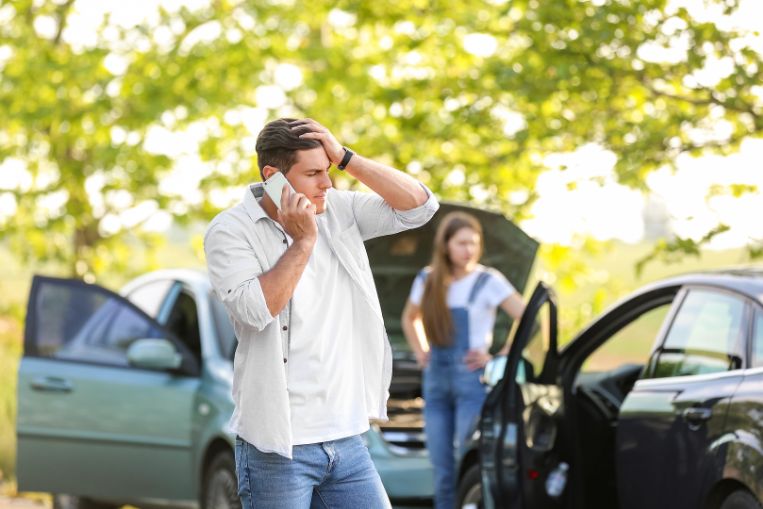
(79, 323)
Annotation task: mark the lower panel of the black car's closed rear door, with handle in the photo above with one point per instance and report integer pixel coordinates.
(662, 460)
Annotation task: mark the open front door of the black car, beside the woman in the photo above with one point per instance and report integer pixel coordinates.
(522, 462)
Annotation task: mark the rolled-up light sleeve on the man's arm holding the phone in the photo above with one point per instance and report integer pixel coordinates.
(234, 273)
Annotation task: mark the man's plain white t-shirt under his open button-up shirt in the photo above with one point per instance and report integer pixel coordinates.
(324, 373)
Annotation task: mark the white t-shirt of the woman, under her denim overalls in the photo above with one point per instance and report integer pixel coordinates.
(495, 290)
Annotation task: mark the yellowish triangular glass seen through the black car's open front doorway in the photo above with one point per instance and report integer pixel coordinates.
(630, 345)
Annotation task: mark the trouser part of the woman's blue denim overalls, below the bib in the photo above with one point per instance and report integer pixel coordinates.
(453, 399)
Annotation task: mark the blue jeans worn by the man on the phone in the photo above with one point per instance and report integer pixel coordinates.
(337, 474)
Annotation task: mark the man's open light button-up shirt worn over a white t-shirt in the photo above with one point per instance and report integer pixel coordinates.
(243, 242)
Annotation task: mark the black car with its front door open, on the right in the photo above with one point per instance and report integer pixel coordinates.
(657, 404)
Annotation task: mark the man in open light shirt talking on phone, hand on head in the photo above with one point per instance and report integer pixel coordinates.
(313, 363)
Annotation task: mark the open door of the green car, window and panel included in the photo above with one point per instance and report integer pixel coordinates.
(90, 415)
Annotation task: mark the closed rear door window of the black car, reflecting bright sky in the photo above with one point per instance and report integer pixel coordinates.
(706, 336)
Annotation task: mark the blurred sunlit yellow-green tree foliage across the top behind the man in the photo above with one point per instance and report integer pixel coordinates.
(471, 96)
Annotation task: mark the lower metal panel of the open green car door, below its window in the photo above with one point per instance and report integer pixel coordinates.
(116, 433)
